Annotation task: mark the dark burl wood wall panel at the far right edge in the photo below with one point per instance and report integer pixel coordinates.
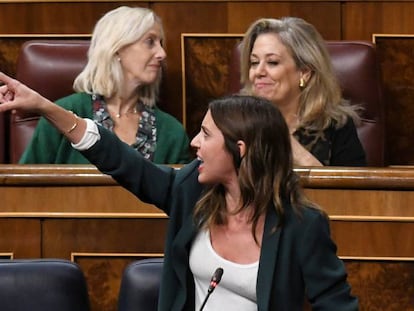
(396, 54)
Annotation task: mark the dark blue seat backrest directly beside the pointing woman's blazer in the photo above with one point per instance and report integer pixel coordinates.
(140, 285)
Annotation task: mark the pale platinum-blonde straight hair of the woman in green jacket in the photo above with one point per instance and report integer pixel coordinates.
(116, 29)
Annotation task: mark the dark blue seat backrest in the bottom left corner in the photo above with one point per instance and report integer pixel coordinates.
(42, 285)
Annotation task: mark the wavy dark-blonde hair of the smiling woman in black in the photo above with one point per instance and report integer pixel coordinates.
(321, 100)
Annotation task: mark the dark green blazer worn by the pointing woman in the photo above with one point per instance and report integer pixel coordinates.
(296, 261)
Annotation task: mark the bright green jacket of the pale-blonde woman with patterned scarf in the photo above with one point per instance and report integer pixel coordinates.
(49, 146)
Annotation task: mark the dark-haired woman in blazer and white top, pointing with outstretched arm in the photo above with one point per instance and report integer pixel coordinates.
(238, 206)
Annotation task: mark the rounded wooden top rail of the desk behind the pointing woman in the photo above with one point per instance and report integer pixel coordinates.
(311, 177)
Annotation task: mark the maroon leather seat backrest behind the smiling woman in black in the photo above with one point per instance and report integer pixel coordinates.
(358, 71)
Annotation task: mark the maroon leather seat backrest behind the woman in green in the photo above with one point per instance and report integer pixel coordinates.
(49, 67)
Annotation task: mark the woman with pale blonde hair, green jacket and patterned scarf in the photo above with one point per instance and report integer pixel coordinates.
(118, 89)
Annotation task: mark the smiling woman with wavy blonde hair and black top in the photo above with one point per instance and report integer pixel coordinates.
(286, 61)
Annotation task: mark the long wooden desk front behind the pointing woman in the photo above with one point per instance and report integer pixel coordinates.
(75, 212)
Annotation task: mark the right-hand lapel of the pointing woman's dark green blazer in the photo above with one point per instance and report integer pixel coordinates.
(268, 258)
